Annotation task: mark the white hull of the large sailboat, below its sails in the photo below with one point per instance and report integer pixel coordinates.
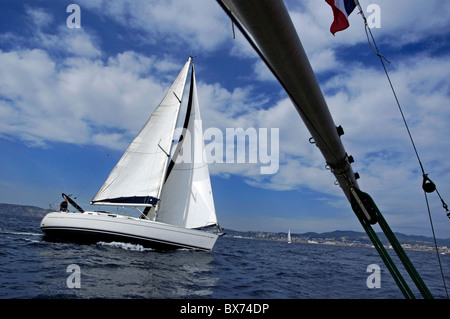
(92, 227)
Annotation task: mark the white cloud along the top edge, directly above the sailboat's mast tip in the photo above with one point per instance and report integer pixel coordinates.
(196, 25)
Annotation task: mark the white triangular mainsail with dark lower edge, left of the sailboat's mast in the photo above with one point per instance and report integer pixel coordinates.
(137, 178)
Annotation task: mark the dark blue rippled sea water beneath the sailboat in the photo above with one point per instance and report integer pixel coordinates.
(237, 268)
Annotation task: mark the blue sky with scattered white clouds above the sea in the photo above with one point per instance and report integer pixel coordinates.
(73, 98)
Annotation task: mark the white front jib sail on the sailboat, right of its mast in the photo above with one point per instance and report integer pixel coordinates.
(186, 198)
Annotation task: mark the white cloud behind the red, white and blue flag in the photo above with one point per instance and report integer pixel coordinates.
(402, 23)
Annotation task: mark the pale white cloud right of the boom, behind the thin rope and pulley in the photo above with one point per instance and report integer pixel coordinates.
(377, 137)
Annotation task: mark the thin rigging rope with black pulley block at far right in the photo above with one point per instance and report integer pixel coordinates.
(427, 185)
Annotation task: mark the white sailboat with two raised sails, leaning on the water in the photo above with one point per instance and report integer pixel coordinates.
(172, 193)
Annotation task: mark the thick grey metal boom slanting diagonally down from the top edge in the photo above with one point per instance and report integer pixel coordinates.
(271, 27)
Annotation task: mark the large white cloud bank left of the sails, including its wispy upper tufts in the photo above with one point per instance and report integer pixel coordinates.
(60, 89)
